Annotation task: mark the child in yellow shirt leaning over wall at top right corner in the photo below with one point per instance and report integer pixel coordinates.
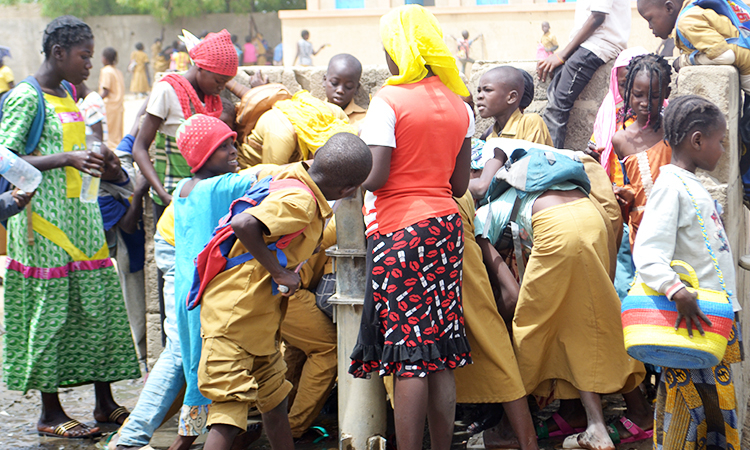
(704, 36)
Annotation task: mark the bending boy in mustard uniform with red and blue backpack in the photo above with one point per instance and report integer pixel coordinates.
(241, 364)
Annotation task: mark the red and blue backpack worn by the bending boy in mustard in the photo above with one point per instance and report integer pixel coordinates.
(213, 259)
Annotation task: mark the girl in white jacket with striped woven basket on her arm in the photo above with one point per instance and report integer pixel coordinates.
(682, 222)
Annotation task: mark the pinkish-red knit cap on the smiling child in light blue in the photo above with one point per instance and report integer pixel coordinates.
(199, 137)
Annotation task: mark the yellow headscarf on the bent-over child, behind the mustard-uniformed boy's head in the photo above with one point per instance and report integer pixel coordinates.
(313, 121)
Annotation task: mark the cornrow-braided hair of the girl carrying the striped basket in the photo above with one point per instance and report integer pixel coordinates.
(687, 114)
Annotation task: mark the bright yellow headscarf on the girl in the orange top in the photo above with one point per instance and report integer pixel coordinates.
(412, 37)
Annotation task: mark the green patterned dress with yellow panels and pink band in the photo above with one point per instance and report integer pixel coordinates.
(64, 312)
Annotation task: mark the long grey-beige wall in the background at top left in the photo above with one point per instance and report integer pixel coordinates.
(22, 29)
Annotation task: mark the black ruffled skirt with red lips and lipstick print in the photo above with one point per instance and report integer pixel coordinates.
(412, 321)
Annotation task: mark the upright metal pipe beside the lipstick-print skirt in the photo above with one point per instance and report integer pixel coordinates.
(362, 402)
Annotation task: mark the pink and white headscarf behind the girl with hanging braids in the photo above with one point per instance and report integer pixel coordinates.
(605, 125)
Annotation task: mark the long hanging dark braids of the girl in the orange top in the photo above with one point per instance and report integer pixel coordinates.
(655, 66)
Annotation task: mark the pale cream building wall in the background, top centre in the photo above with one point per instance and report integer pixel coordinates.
(511, 32)
